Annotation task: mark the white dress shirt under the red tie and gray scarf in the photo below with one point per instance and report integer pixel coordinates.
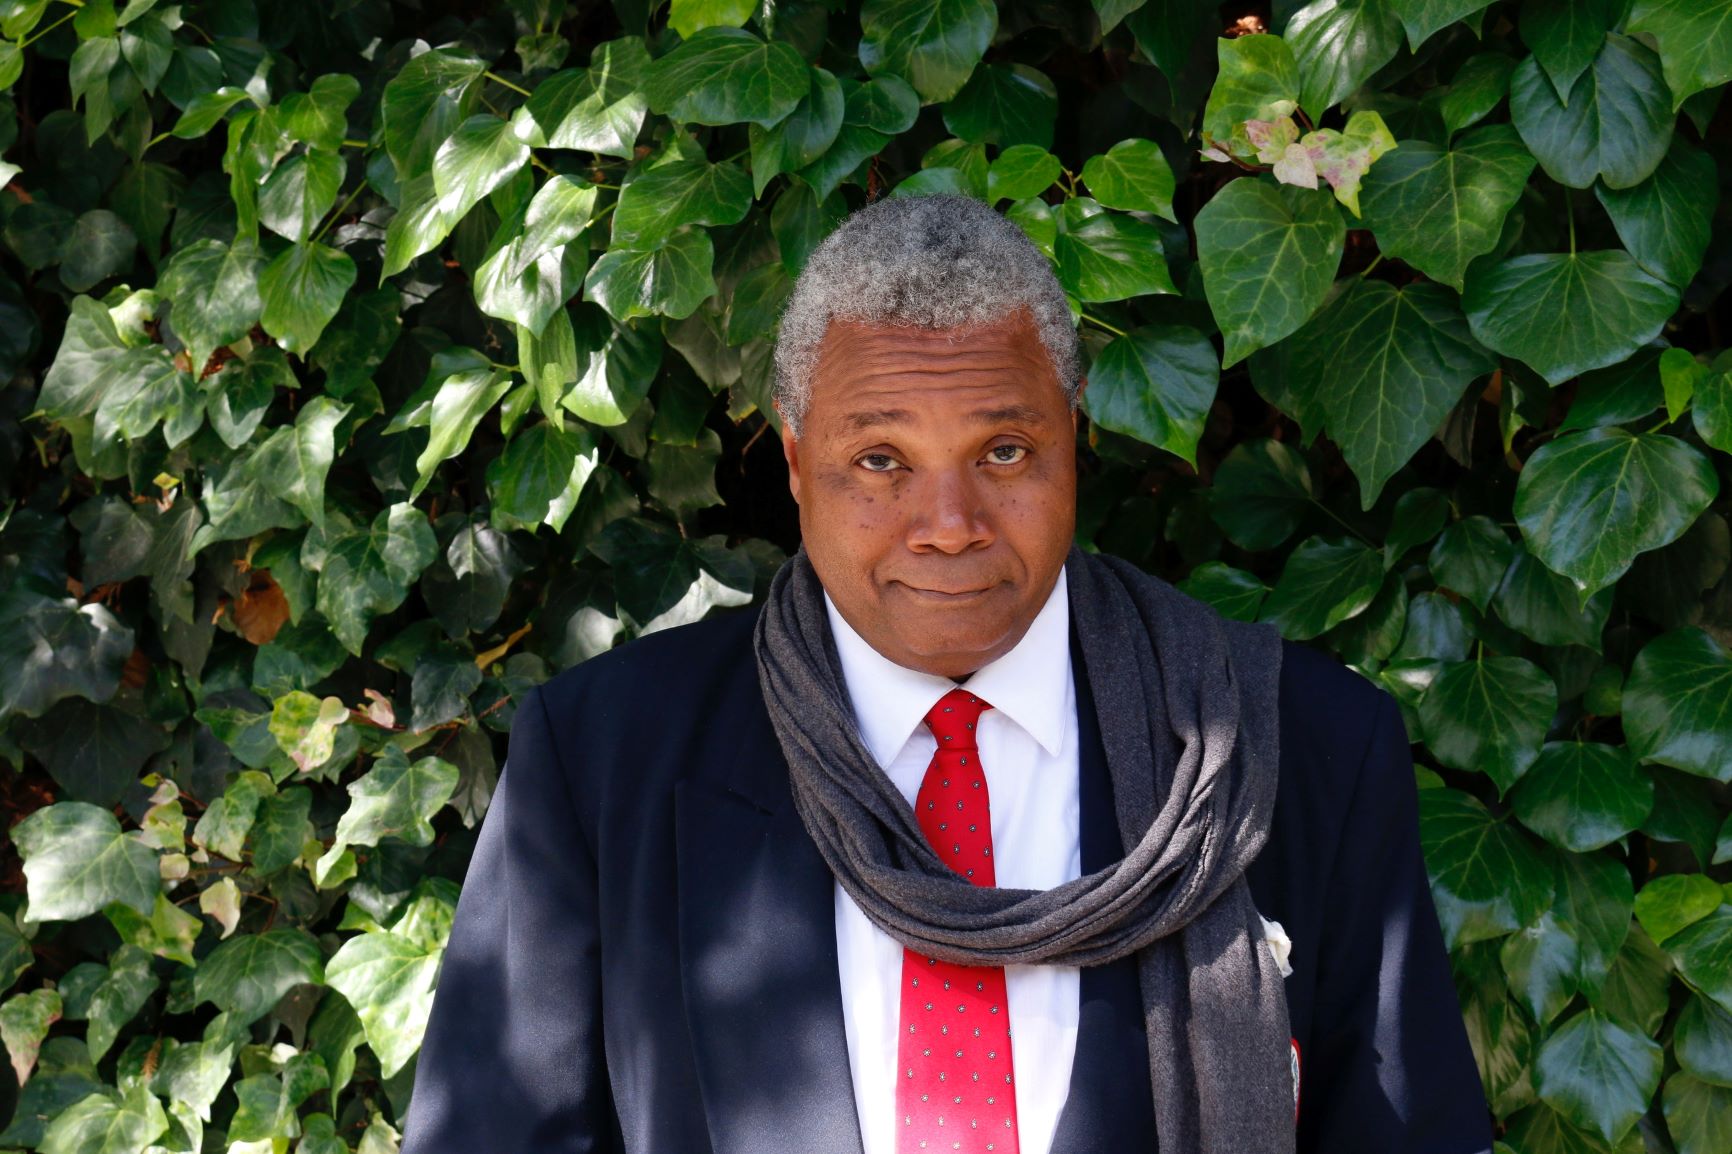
(1030, 756)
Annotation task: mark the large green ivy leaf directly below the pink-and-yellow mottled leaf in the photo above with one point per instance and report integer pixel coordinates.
(1269, 259)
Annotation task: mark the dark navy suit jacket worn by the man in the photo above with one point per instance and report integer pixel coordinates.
(645, 952)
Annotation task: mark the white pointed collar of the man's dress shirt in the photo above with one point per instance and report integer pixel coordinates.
(1030, 685)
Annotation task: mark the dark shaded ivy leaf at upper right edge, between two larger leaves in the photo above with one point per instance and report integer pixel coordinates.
(1667, 219)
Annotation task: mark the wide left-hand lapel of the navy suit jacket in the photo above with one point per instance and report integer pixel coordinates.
(759, 961)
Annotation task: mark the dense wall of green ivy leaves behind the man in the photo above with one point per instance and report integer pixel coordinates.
(368, 363)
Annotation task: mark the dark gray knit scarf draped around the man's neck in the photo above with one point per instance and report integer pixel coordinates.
(1187, 706)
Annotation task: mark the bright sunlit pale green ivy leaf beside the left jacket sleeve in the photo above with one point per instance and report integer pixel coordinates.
(389, 980)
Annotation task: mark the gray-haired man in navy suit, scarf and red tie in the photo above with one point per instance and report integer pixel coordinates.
(967, 841)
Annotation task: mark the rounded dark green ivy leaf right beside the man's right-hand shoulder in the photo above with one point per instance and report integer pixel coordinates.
(1489, 716)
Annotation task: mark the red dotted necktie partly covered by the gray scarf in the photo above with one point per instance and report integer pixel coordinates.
(953, 1089)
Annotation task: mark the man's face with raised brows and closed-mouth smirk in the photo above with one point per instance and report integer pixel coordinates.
(936, 477)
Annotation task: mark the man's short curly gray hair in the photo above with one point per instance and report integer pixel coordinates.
(936, 263)
